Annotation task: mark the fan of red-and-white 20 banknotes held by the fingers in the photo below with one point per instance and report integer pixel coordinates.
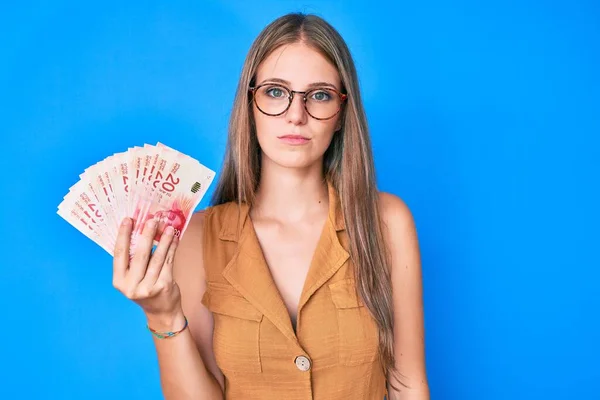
(148, 182)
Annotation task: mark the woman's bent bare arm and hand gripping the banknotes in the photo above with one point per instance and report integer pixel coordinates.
(168, 284)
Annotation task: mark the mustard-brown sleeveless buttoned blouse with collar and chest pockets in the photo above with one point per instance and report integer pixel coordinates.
(333, 355)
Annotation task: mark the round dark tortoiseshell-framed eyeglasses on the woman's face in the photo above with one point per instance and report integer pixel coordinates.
(320, 103)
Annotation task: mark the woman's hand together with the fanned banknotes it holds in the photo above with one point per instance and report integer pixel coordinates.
(154, 189)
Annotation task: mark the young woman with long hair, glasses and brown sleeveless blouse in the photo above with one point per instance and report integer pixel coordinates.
(301, 281)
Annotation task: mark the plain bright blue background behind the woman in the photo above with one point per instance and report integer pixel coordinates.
(484, 118)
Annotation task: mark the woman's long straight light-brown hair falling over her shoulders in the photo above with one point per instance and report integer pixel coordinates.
(348, 164)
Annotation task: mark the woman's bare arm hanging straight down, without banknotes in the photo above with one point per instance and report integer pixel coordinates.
(409, 343)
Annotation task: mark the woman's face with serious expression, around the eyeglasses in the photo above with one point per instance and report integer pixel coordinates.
(295, 139)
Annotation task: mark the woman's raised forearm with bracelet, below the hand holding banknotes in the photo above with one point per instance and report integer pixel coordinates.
(183, 374)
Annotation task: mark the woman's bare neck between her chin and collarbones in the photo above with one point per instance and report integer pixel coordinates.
(290, 194)
